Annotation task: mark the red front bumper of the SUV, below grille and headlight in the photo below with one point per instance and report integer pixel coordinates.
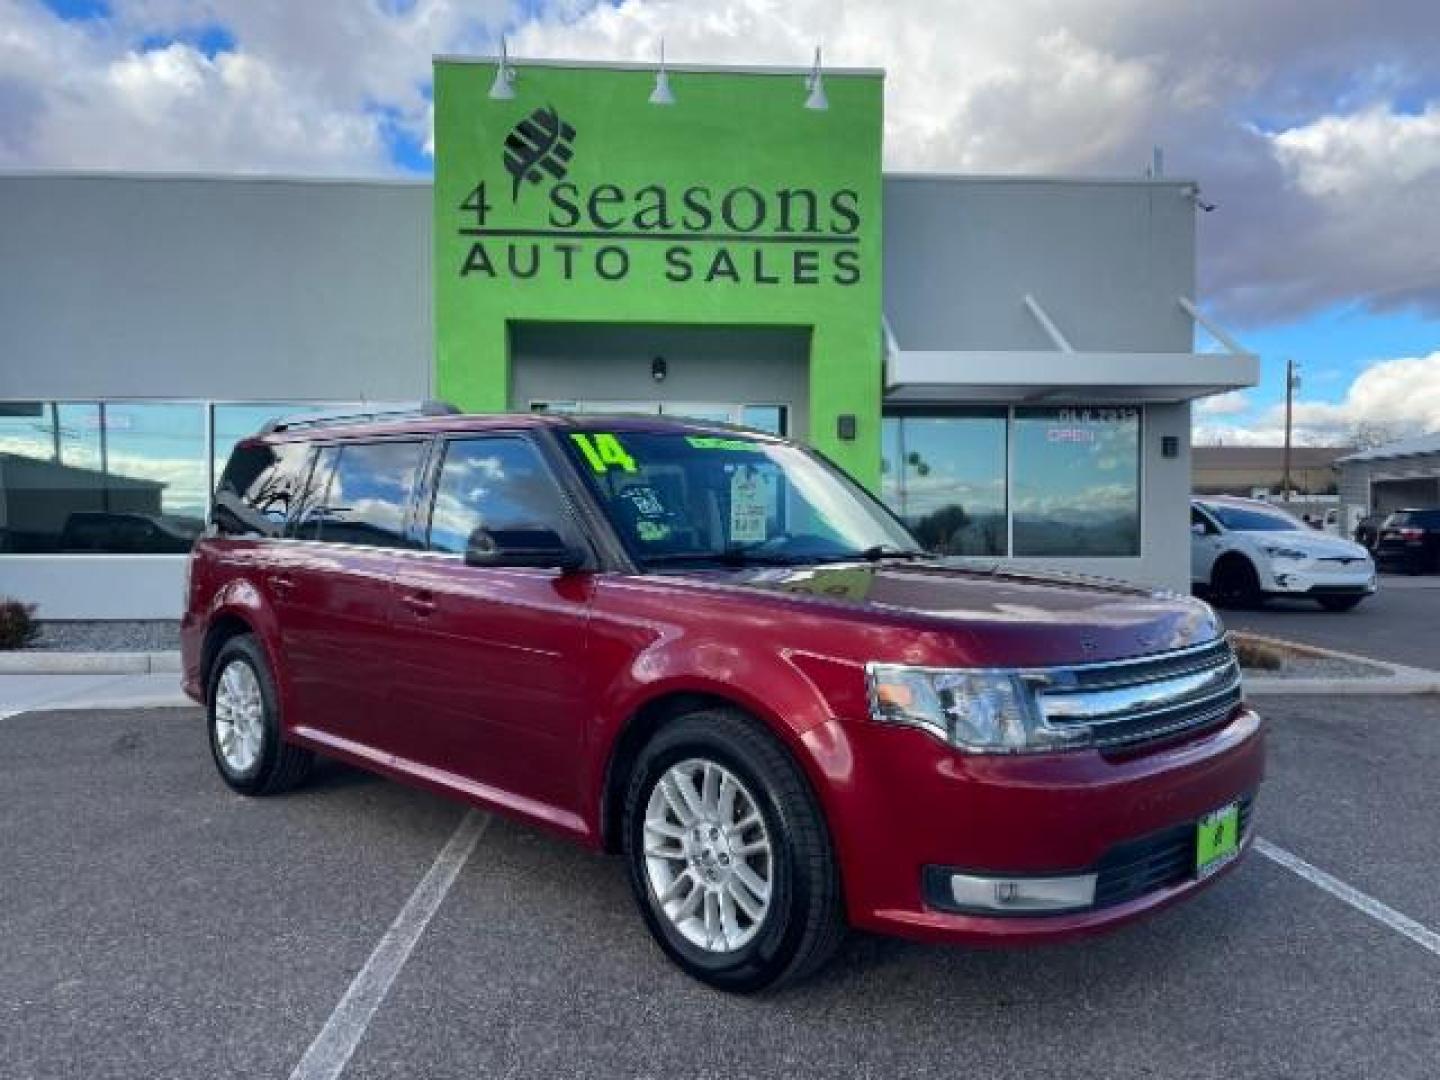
(914, 806)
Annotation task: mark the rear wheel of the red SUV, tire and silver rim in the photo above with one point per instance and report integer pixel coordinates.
(244, 724)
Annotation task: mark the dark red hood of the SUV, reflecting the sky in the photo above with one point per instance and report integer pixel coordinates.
(1003, 618)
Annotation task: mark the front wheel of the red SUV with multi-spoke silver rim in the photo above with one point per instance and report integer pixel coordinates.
(801, 922)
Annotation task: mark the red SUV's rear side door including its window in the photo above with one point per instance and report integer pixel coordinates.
(336, 590)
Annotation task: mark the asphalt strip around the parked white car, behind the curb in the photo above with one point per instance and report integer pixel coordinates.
(1400, 623)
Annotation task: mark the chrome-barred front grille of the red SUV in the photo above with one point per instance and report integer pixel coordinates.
(1140, 701)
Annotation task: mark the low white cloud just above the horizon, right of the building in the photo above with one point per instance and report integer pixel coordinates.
(1389, 400)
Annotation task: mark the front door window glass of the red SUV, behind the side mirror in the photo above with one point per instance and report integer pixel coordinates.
(498, 485)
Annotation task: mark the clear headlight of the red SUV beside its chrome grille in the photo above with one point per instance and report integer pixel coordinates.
(981, 712)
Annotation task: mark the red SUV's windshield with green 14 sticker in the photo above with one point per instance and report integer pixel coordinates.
(693, 500)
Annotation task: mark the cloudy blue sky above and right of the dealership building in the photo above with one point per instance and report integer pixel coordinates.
(1315, 127)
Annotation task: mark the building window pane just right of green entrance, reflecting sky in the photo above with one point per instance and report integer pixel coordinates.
(945, 477)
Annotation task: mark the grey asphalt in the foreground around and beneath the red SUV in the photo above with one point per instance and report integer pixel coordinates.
(155, 925)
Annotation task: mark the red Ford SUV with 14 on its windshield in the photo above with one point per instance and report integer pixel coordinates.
(715, 653)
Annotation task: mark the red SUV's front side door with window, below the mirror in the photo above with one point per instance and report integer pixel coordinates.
(490, 663)
